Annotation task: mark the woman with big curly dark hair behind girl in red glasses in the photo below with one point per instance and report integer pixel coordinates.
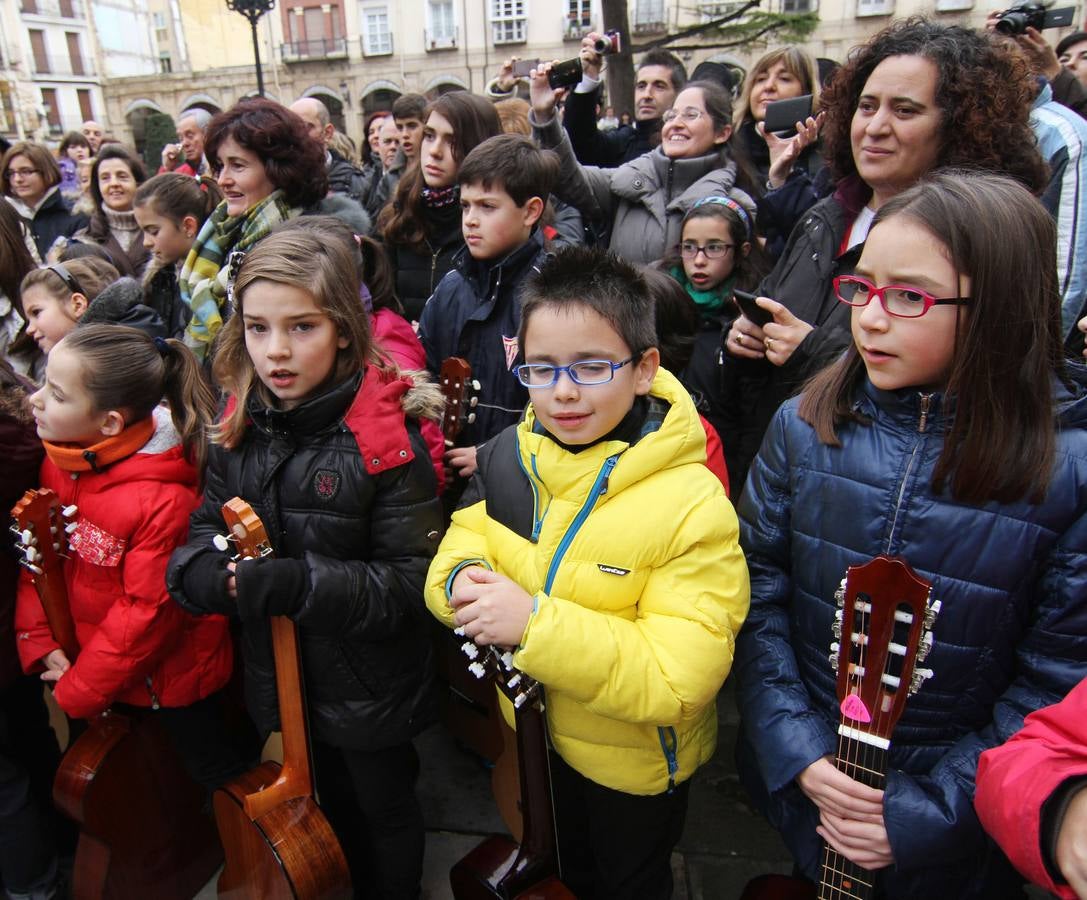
(918, 97)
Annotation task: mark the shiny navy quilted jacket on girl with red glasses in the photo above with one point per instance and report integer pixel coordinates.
(1011, 636)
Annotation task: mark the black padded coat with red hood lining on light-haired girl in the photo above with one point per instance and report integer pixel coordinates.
(343, 483)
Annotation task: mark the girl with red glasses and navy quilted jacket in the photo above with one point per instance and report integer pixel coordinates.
(951, 434)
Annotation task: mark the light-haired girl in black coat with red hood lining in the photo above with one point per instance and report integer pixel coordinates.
(323, 443)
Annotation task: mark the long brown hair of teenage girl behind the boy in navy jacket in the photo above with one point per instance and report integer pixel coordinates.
(474, 120)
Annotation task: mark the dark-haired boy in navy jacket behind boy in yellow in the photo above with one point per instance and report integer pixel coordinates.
(476, 311)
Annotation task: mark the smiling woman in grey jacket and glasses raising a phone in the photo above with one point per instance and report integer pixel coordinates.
(645, 201)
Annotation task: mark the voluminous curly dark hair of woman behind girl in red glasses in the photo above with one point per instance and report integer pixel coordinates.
(984, 90)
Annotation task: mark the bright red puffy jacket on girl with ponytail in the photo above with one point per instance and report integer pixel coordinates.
(138, 646)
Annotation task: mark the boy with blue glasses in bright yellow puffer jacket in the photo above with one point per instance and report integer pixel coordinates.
(595, 543)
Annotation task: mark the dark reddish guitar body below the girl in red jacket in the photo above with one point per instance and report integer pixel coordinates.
(144, 831)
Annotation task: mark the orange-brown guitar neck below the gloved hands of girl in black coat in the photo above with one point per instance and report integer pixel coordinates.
(296, 778)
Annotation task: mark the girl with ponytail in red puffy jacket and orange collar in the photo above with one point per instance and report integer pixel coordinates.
(131, 468)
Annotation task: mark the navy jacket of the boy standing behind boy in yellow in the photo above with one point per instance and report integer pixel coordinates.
(476, 314)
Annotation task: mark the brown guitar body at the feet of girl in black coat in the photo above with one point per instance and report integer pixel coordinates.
(273, 857)
